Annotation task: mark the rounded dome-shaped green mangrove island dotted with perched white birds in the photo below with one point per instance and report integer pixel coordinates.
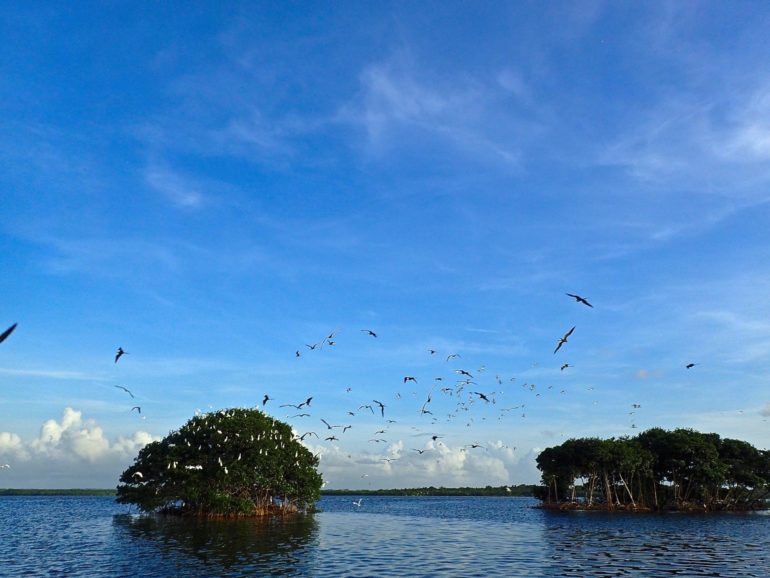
(234, 462)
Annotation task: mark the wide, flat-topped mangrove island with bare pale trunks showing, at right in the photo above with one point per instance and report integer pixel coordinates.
(657, 470)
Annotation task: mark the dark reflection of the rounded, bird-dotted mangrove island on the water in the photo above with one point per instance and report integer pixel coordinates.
(275, 546)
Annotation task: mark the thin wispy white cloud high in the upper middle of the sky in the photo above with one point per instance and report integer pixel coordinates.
(468, 114)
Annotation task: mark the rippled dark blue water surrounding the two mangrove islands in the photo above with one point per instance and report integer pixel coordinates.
(93, 536)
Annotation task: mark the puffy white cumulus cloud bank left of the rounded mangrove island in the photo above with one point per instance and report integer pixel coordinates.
(70, 453)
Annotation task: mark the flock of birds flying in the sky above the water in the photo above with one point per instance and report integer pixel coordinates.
(465, 391)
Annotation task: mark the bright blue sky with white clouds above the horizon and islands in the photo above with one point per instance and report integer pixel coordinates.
(212, 189)
